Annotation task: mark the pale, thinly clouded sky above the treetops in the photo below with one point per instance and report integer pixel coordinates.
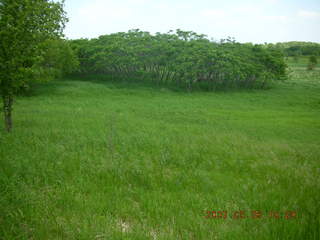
(255, 21)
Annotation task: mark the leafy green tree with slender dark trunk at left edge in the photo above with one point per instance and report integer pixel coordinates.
(24, 26)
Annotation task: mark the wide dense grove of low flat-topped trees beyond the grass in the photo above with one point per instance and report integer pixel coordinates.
(182, 58)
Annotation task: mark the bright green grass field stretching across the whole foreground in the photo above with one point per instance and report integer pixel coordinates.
(100, 160)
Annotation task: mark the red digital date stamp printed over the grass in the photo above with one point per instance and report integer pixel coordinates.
(253, 214)
